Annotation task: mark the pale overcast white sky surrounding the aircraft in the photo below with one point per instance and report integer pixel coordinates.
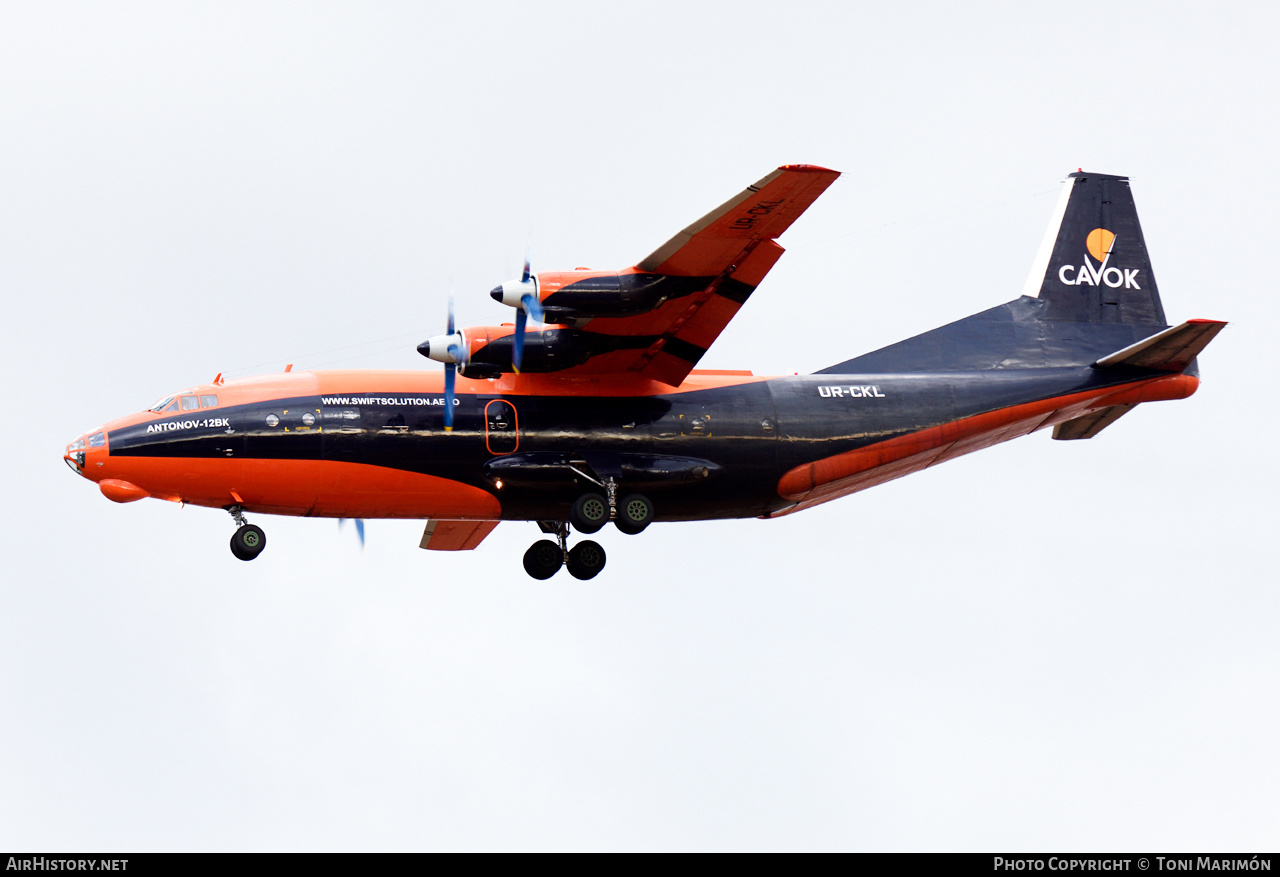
(1044, 646)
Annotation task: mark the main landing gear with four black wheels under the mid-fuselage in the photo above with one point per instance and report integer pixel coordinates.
(591, 513)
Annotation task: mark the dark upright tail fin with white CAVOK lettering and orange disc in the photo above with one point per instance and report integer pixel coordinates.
(1094, 264)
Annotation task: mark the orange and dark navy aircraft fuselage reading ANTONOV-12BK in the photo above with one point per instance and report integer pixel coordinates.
(725, 445)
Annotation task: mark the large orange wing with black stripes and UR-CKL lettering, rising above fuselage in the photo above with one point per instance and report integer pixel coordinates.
(715, 266)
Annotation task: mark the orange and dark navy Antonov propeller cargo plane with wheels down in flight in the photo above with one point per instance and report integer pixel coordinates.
(600, 415)
